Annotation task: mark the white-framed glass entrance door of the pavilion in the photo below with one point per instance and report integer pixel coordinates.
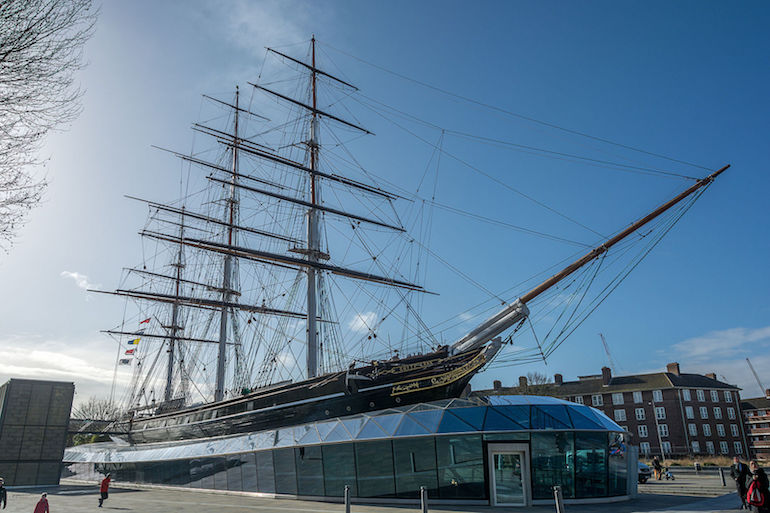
(509, 475)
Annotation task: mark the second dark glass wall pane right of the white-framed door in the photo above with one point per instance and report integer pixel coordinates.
(590, 464)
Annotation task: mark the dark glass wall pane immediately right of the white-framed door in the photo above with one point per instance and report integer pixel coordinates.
(552, 463)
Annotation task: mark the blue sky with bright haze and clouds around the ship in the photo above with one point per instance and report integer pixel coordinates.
(687, 80)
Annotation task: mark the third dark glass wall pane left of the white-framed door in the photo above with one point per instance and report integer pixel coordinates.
(374, 465)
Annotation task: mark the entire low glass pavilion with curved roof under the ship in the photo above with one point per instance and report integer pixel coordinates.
(499, 450)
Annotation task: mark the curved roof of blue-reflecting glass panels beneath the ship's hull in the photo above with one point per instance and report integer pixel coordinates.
(452, 416)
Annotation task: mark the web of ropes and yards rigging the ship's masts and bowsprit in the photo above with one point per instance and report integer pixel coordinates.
(243, 271)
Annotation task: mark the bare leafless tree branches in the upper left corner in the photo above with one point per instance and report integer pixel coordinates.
(41, 48)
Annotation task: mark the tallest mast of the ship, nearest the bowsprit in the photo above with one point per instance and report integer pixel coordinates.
(313, 243)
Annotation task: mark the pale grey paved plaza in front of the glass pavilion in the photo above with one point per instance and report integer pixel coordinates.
(657, 497)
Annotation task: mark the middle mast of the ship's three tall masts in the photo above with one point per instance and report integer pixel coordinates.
(219, 391)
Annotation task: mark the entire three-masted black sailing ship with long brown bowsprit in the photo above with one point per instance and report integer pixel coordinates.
(203, 301)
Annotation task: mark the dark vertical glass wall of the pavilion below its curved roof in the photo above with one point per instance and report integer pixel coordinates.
(585, 463)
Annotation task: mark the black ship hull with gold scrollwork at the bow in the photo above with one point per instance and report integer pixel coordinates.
(382, 385)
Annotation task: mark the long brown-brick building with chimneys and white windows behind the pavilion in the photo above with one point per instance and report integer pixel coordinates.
(670, 412)
